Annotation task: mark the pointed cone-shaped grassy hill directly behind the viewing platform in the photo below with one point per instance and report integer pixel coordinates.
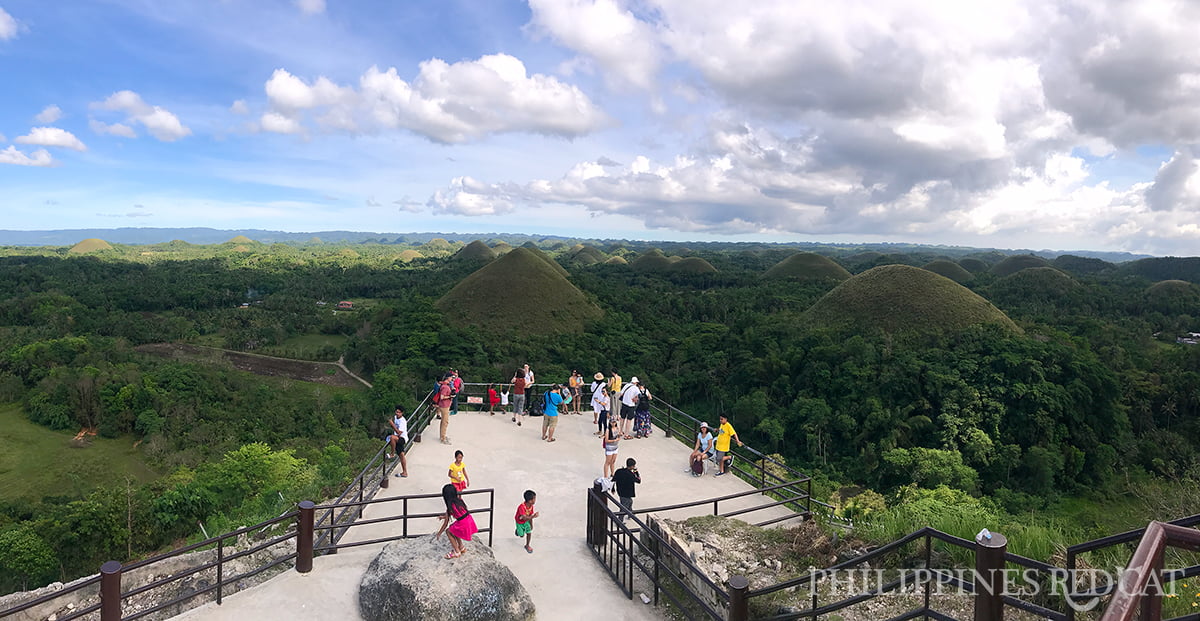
(548, 303)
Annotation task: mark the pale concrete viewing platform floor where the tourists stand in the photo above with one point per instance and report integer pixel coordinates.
(562, 576)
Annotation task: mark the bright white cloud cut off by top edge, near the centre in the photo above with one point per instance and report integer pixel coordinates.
(607, 32)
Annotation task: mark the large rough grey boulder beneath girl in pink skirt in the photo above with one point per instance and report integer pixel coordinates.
(411, 580)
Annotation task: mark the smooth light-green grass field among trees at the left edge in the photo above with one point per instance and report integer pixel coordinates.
(37, 462)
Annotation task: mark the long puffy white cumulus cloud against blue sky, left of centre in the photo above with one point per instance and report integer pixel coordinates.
(446, 103)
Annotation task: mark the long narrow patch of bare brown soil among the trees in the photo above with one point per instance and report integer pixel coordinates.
(327, 373)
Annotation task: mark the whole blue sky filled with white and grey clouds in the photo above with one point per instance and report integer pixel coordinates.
(1070, 125)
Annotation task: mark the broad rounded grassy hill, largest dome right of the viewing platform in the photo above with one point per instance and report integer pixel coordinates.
(901, 299)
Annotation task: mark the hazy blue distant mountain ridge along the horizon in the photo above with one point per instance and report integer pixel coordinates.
(131, 236)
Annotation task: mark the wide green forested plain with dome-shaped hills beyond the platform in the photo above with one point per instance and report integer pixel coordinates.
(916, 384)
